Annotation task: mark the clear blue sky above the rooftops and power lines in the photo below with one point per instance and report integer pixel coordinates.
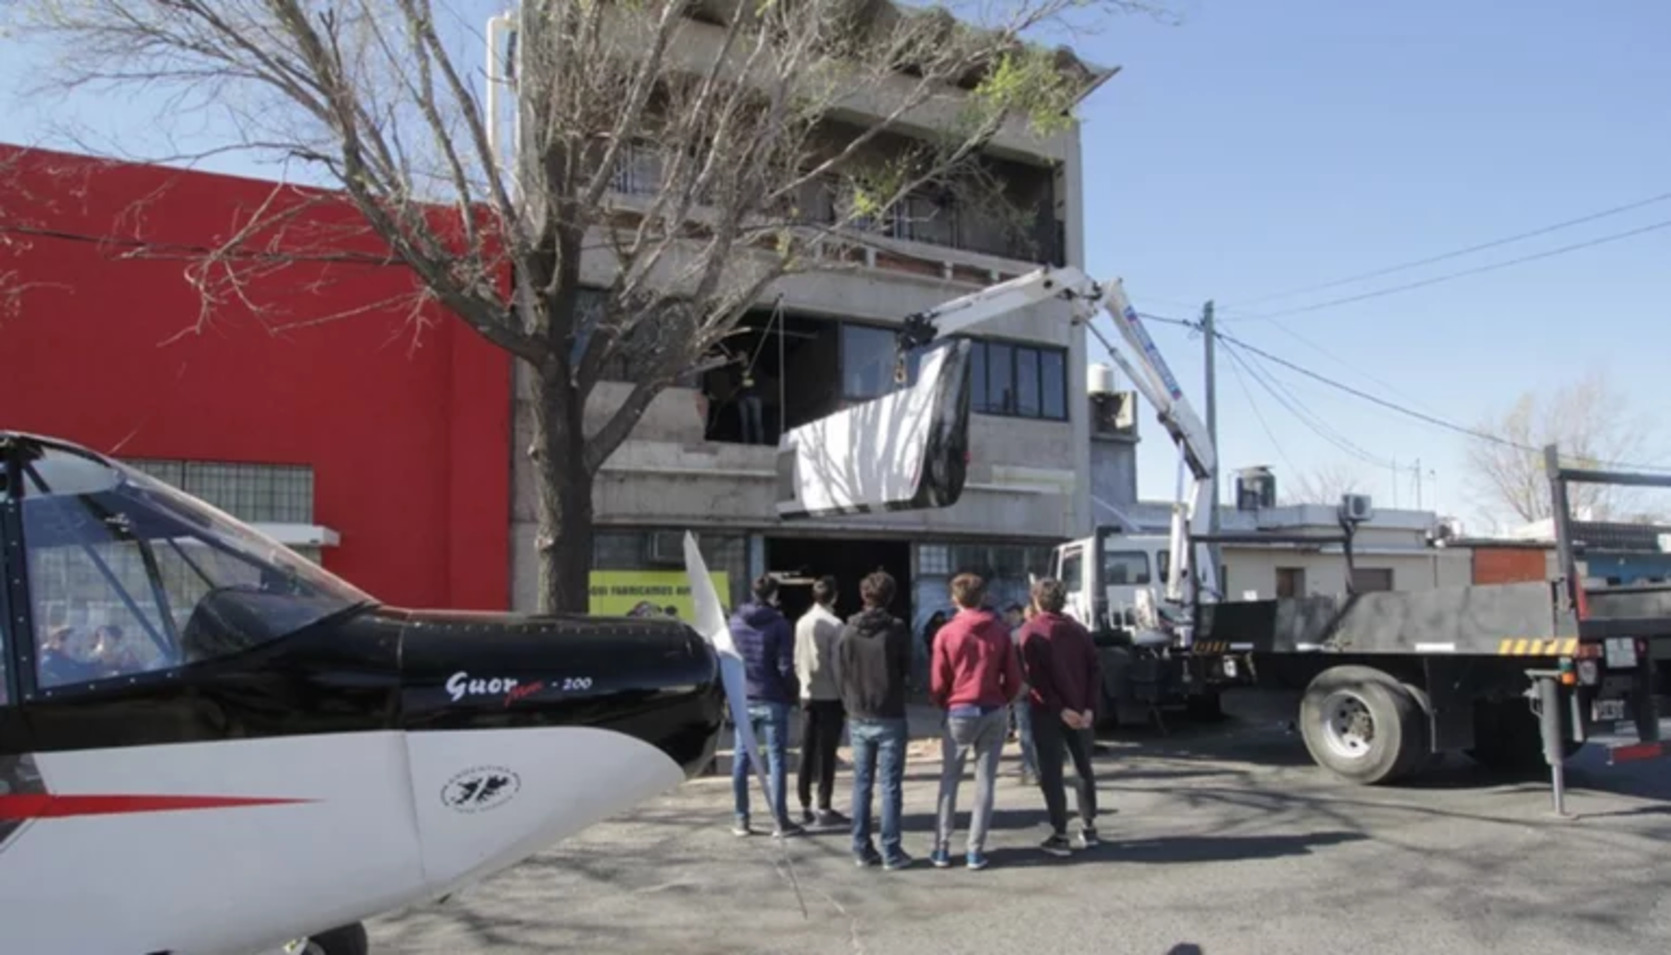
(1266, 146)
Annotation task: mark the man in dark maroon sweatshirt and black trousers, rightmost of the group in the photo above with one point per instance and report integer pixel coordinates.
(1062, 670)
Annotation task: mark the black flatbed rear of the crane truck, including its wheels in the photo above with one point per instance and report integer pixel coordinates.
(1511, 674)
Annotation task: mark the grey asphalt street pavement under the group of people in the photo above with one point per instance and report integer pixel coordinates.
(1219, 841)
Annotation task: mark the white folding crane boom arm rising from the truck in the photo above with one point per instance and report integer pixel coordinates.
(1147, 370)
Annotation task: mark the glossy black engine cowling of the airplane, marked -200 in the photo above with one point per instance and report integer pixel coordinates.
(654, 680)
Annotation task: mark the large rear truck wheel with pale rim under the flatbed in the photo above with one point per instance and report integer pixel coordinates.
(1361, 724)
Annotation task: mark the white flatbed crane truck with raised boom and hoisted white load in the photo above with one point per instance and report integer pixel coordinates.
(1381, 682)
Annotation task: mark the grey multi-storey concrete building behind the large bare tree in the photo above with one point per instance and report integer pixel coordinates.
(828, 341)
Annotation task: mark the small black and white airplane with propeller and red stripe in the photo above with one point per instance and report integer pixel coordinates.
(211, 745)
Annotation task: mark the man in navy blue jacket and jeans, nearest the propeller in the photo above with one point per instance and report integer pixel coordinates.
(768, 649)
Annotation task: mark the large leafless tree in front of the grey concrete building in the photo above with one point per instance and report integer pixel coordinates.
(683, 156)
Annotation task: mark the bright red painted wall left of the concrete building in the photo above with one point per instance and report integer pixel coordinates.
(400, 408)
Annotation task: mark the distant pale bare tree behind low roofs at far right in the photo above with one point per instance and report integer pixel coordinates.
(1592, 425)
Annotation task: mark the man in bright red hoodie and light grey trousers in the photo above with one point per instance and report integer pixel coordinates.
(973, 675)
